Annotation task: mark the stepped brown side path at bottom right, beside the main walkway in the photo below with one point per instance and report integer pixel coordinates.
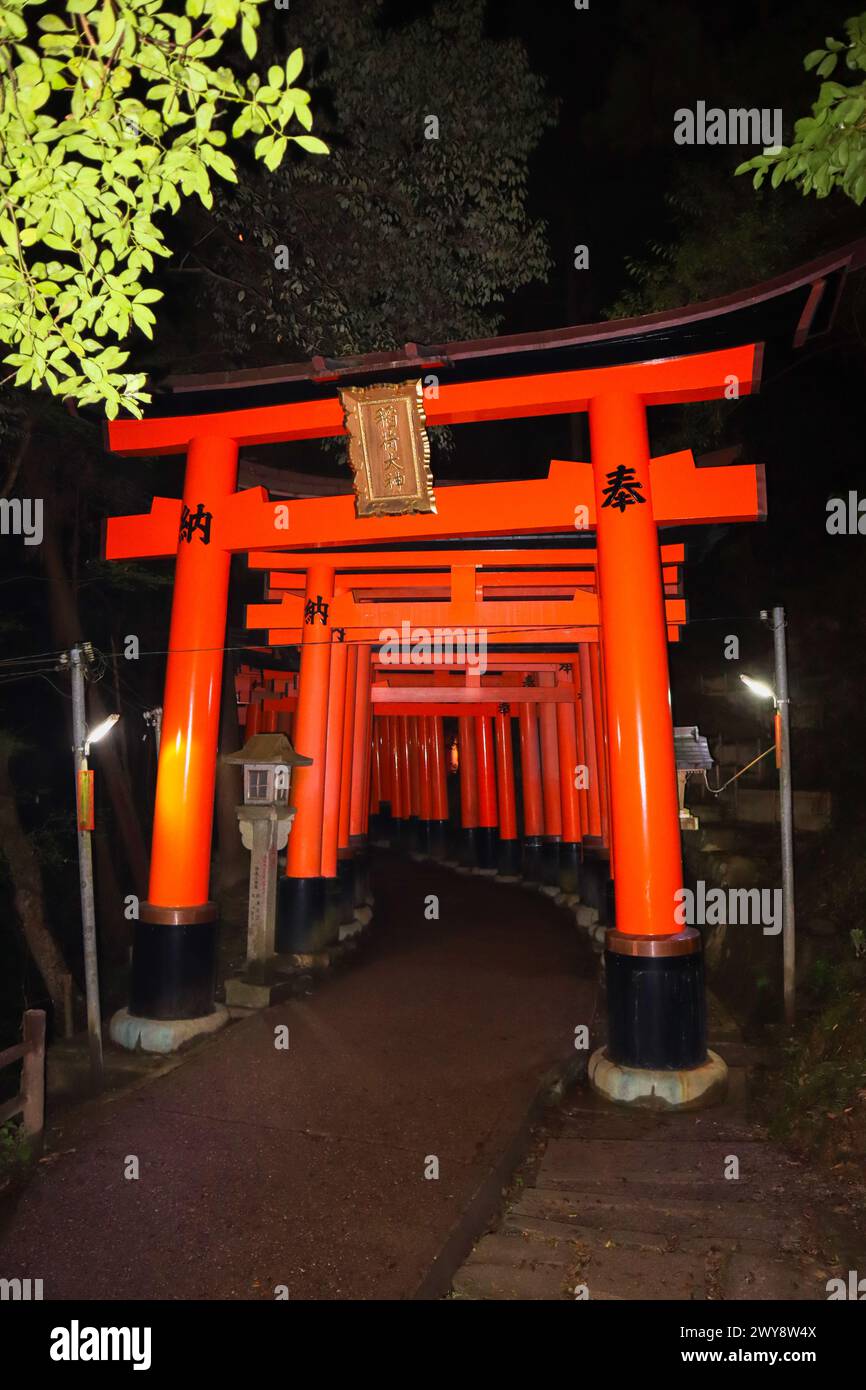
(630, 1204)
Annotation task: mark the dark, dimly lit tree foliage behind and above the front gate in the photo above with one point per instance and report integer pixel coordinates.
(415, 229)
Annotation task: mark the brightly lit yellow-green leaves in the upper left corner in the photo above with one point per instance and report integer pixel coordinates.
(112, 113)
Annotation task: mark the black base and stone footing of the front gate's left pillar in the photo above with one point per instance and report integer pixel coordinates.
(174, 972)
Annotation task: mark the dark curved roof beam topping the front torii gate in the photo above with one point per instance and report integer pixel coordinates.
(790, 311)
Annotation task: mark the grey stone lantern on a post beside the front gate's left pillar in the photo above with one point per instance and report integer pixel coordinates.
(265, 821)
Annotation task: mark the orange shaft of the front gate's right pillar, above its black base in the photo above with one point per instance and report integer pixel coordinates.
(644, 811)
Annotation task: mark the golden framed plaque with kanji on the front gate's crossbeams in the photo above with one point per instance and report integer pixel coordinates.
(389, 450)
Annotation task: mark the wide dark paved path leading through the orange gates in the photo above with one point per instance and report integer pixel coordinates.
(307, 1167)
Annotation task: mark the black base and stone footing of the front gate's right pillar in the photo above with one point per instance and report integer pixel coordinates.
(657, 1054)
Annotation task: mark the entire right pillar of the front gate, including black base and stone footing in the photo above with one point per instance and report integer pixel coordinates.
(657, 1018)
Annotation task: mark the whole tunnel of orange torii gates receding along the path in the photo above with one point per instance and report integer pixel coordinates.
(566, 751)
